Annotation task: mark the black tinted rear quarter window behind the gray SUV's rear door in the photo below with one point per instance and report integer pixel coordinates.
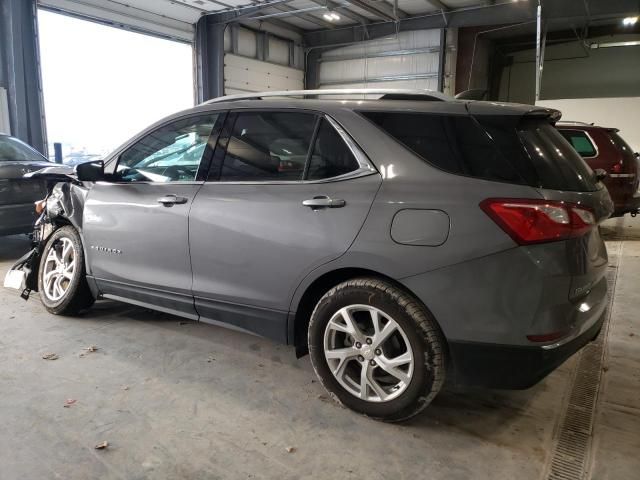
(455, 144)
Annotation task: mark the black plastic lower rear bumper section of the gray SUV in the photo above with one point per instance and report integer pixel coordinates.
(509, 366)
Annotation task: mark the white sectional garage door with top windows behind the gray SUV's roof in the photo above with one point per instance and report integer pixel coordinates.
(255, 66)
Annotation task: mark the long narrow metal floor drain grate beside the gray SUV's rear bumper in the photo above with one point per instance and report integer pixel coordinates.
(570, 459)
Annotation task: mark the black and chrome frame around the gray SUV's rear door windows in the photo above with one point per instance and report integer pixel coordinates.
(365, 166)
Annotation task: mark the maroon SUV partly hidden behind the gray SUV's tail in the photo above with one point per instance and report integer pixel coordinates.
(603, 148)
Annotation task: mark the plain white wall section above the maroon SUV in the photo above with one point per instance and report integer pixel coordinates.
(622, 113)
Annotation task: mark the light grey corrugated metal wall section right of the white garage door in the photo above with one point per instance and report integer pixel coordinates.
(408, 60)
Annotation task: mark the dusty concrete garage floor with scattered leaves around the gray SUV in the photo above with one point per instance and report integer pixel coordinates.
(182, 400)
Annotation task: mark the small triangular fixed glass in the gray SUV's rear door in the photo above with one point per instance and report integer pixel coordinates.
(331, 157)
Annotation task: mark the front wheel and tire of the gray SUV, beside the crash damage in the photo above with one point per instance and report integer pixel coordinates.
(72, 293)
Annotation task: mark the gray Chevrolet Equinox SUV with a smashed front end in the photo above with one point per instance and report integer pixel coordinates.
(400, 240)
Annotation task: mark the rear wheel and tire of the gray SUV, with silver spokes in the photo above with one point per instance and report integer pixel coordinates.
(334, 347)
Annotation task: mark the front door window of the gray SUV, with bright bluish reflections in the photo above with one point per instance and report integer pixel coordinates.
(170, 154)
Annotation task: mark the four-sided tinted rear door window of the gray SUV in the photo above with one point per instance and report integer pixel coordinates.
(268, 146)
